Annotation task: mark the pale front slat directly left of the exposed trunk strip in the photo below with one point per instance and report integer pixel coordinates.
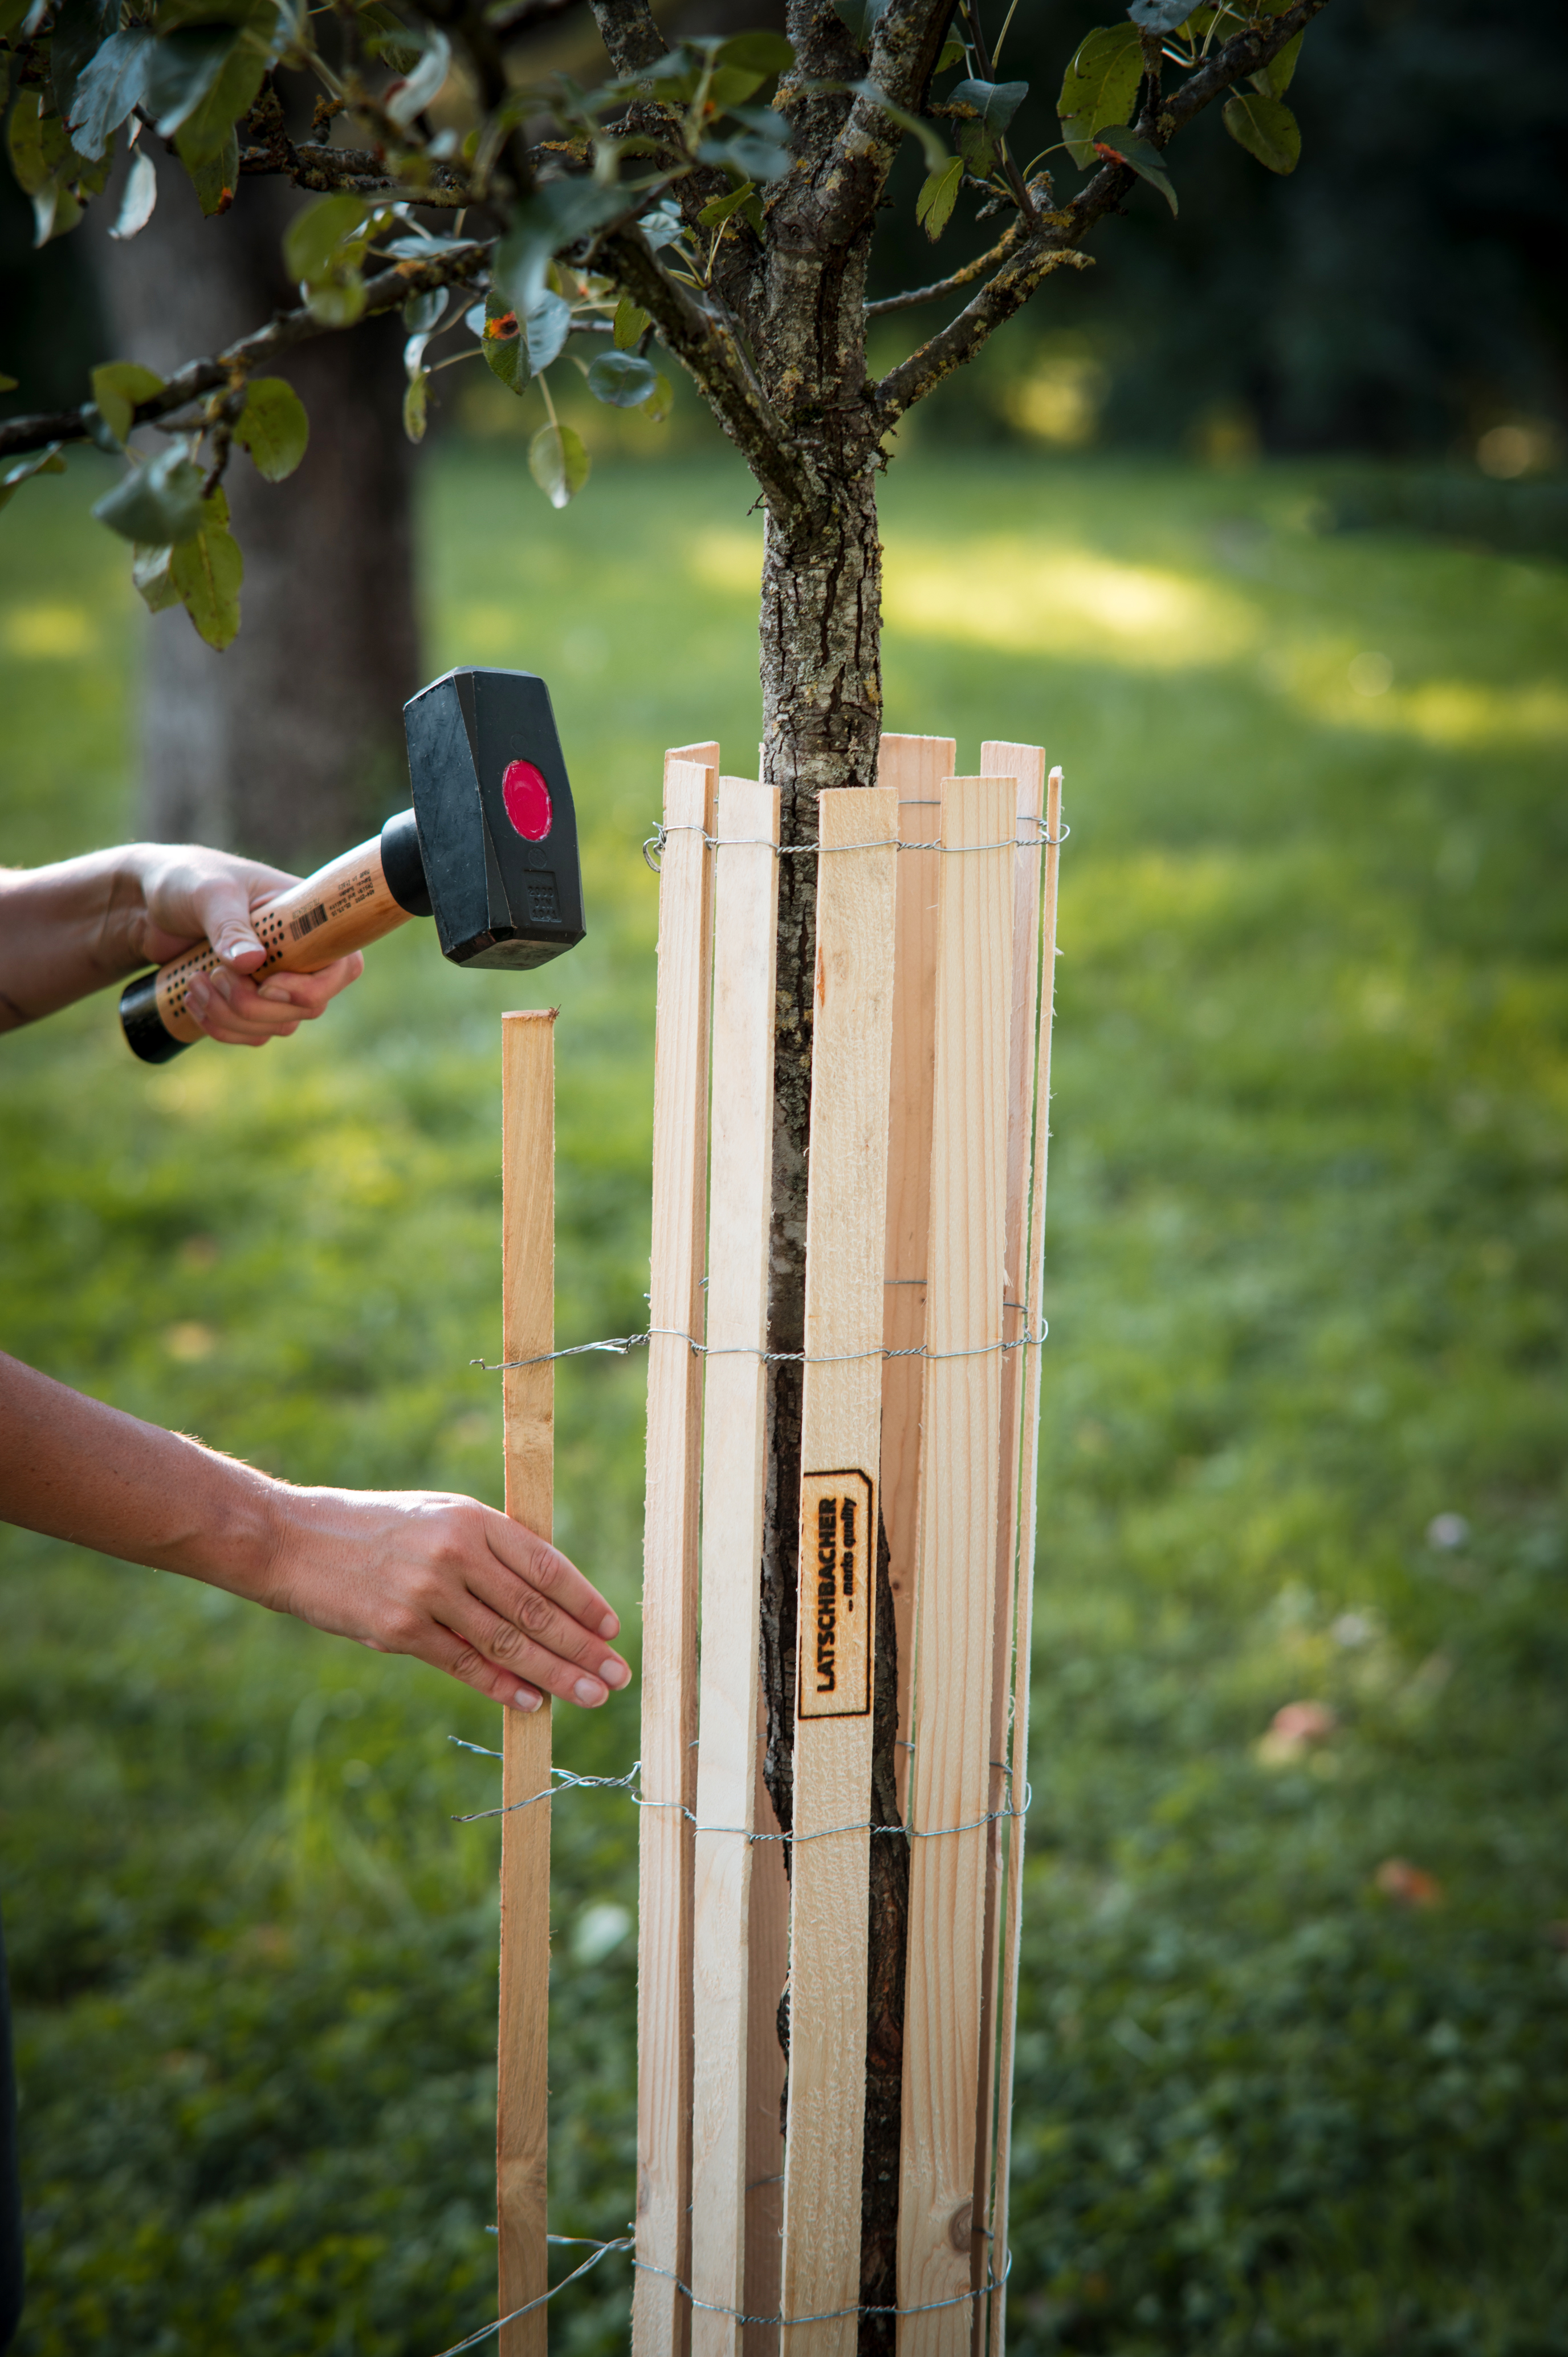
(746, 913)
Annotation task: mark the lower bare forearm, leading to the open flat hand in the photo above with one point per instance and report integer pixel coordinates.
(103, 1479)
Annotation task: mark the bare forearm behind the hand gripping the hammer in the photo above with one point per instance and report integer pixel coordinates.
(67, 930)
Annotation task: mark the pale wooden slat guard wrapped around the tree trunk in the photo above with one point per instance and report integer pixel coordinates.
(925, 1250)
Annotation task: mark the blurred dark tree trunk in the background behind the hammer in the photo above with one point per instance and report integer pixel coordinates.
(286, 746)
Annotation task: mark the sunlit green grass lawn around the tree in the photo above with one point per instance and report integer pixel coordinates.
(1296, 2023)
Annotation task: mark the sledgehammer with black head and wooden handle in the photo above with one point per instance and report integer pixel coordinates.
(489, 852)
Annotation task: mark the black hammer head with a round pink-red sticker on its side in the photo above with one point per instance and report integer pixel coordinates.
(499, 833)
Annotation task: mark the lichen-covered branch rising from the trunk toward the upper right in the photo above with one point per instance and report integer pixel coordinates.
(1065, 232)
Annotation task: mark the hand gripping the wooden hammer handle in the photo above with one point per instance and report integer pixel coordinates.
(195, 894)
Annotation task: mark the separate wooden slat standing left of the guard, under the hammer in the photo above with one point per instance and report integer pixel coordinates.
(522, 2104)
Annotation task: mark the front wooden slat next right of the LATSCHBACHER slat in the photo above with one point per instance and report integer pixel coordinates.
(956, 1576)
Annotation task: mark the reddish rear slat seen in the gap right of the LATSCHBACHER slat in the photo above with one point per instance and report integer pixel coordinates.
(914, 770)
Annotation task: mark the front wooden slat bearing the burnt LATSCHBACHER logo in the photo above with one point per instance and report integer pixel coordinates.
(838, 1564)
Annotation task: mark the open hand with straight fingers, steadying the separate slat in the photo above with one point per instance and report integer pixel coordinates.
(449, 1580)
